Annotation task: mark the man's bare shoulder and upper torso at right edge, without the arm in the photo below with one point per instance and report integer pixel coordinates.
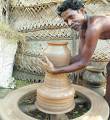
(102, 24)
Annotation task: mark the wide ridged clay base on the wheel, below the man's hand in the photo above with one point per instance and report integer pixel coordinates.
(56, 95)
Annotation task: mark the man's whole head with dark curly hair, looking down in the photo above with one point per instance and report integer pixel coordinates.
(72, 11)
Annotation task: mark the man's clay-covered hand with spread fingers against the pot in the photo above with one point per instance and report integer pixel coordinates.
(48, 66)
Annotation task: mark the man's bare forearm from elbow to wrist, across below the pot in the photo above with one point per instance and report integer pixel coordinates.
(72, 68)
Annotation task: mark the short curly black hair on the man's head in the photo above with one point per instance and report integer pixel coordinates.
(69, 4)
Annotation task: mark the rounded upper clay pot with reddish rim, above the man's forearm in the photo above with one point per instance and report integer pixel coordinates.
(58, 53)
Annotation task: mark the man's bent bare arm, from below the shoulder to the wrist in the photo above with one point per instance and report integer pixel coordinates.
(91, 38)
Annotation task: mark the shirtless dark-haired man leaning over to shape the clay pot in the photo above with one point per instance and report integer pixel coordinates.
(91, 29)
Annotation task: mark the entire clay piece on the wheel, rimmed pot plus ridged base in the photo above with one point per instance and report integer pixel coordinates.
(56, 95)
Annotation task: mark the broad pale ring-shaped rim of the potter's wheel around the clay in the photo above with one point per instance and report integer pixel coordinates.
(10, 110)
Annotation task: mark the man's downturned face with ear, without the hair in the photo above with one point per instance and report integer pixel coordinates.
(73, 18)
